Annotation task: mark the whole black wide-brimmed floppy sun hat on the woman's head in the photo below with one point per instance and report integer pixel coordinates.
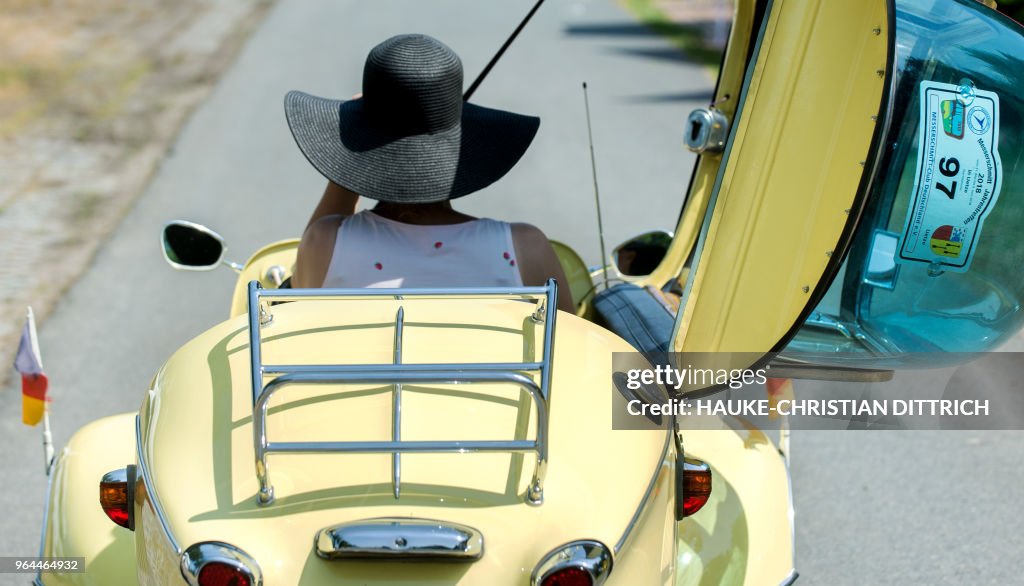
(410, 139)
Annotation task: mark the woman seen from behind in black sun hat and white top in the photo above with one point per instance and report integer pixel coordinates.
(412, 144)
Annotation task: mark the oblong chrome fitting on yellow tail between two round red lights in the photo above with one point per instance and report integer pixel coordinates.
(400, 539)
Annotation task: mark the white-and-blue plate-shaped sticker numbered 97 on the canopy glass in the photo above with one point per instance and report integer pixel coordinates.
(958, 180)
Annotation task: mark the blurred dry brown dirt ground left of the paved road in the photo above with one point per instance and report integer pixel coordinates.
(92, 96)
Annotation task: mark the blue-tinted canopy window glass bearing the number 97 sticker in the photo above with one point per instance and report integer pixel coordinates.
(937, 261)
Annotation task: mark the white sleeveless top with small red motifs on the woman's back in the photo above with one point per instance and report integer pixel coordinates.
(373, 252)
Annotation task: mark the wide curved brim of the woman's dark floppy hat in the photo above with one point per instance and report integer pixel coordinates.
(344, 144)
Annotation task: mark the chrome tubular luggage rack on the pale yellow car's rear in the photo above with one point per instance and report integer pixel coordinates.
(398, 374)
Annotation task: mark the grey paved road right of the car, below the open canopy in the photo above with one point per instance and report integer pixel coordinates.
(914, 508)
